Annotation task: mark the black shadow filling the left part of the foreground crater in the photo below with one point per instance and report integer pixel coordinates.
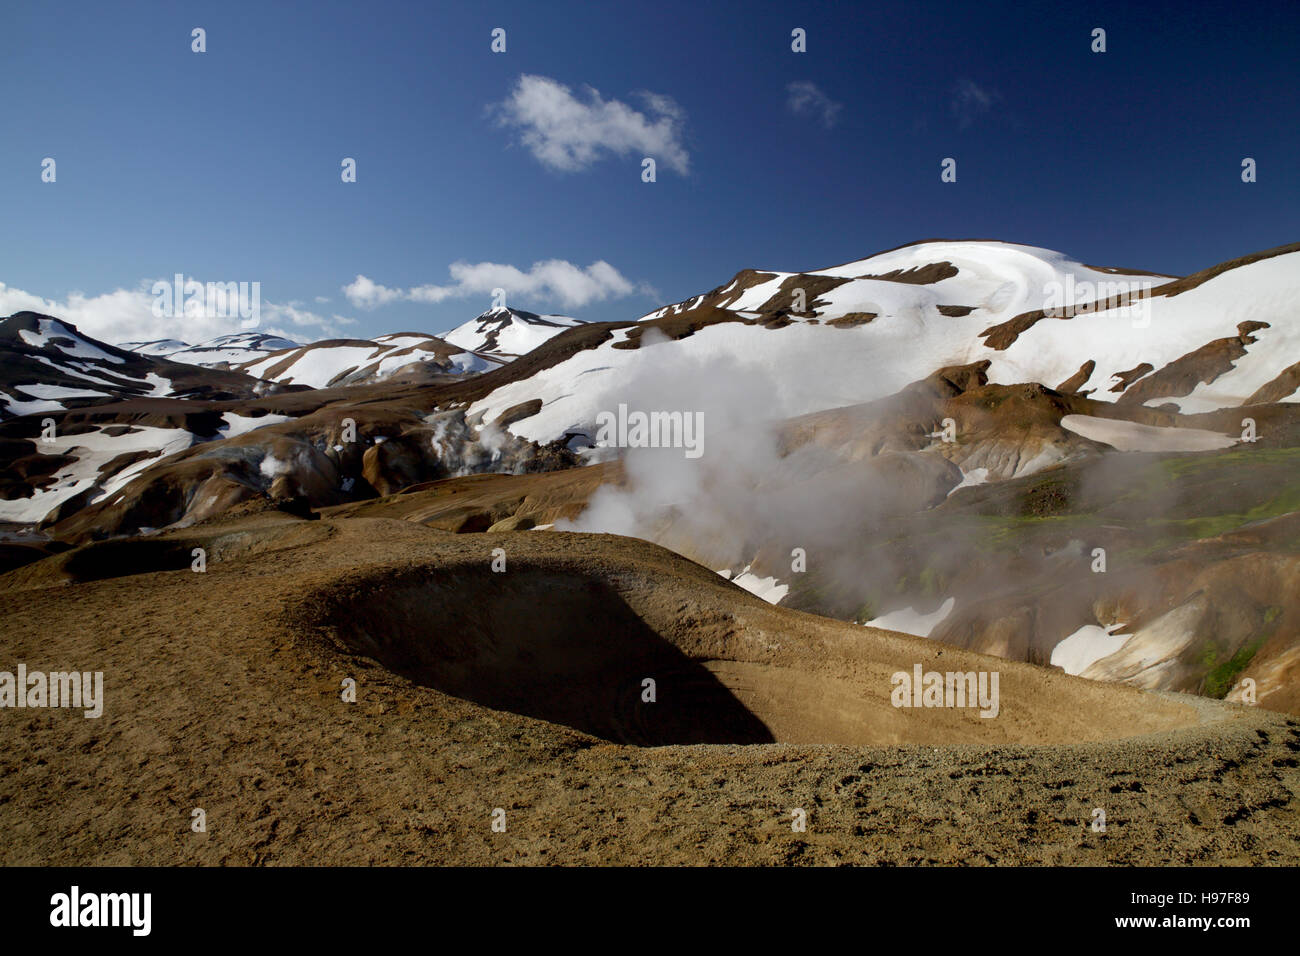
(544, 644)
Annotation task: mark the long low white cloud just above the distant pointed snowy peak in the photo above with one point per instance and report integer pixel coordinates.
(553, 280)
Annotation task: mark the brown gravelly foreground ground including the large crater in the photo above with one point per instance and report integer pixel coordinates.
(522, 691)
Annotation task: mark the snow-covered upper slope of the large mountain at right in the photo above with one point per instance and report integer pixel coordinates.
(863, 331)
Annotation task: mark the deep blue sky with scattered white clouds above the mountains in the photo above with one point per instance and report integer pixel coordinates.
(226, 166)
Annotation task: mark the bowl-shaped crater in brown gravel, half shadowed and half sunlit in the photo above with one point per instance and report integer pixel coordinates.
(727, 667)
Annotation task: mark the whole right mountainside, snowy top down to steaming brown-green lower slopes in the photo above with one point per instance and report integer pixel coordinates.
(1093, 412)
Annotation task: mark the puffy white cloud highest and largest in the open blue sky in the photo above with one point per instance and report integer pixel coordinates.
(566, 133)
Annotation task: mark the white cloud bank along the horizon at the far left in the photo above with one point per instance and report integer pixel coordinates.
(127, 315)
